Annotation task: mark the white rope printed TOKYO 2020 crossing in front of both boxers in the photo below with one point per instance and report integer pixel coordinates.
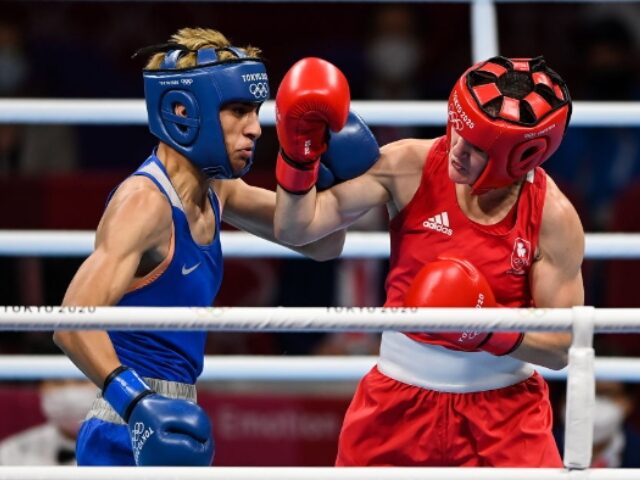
(312, 319)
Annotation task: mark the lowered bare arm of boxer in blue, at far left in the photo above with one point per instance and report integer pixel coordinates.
(105, 276)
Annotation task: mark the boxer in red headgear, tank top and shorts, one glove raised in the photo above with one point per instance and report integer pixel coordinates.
(474, 221)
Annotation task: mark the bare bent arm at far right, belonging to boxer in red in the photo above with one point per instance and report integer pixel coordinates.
(556, 278)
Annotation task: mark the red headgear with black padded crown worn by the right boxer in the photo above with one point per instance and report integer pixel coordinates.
(515, 109)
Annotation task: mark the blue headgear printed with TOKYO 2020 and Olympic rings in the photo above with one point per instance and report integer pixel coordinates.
(203, 90)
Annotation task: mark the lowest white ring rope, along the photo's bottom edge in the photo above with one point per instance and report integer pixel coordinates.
(311, 473)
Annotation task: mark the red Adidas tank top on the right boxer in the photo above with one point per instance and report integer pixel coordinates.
(432, 224)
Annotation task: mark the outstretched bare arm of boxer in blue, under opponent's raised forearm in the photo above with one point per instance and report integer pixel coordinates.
(251, 209)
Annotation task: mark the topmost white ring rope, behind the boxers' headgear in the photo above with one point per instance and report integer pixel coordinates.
(425, 113)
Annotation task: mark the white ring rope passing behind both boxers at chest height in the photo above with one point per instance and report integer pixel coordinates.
(69, 243)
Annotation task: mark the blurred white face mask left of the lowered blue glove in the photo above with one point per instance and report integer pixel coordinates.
(66, 406)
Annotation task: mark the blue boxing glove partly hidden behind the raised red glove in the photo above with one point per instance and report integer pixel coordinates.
(351, 152)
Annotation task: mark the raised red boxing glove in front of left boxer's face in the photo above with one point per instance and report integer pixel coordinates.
(313, 95)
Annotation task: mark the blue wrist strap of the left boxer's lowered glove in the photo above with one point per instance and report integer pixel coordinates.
(123, 389)
